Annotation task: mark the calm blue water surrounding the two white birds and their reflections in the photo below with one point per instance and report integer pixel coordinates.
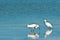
(16, 14)
